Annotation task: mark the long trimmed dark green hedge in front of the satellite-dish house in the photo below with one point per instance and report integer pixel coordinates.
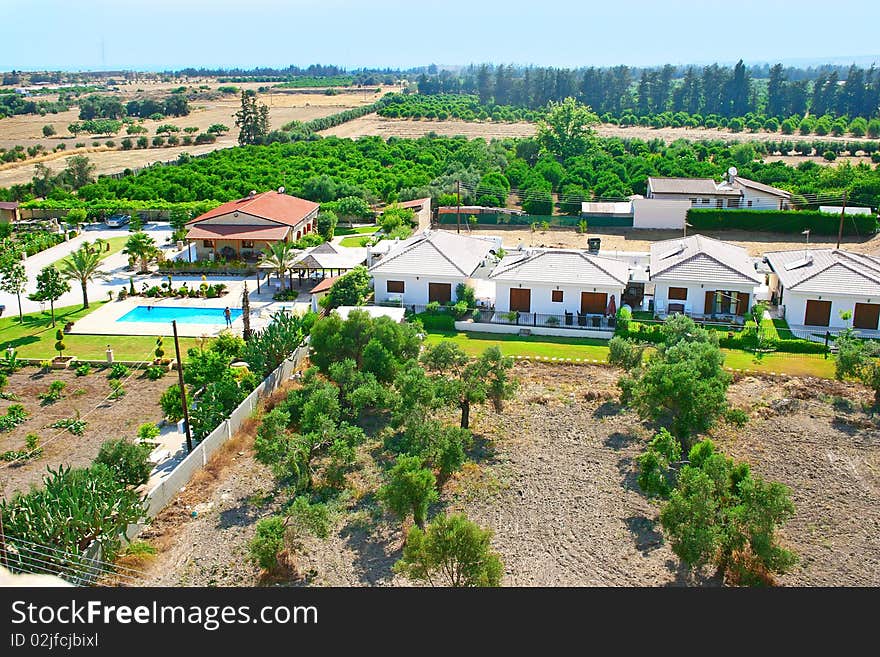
(780, 221)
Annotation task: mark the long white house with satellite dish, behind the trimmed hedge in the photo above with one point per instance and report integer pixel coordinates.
(732, 192)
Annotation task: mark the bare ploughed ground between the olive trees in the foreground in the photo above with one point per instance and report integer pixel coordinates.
(556, 482)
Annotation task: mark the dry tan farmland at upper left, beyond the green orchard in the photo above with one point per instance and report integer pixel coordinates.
(284, 106)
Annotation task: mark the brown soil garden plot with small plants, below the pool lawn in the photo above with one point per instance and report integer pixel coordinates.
(111, 419)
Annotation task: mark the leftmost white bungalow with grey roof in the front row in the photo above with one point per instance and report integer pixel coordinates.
(429, 266)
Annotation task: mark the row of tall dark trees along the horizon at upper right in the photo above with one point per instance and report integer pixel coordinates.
(720, 90)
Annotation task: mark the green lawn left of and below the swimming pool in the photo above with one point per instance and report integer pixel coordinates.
(36, 337)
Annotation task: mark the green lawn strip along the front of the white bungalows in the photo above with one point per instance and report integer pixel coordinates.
(593, 349)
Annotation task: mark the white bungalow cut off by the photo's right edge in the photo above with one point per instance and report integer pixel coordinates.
(814, 287)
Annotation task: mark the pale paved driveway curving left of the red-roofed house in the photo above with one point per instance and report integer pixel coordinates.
(114, 266)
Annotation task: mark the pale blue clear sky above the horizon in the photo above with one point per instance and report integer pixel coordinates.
(174, 34)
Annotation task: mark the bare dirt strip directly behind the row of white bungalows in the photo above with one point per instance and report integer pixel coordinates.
(629, 239)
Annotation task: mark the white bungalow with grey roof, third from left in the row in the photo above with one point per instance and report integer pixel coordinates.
(702, 276)
